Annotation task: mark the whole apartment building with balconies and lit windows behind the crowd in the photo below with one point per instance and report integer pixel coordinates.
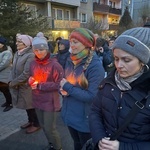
(65, 15)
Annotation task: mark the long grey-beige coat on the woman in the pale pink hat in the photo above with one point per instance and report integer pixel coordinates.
(20, 90)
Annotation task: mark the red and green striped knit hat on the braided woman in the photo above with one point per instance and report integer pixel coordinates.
(85, 36)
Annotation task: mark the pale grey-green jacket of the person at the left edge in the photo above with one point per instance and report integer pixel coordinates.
(5, 64)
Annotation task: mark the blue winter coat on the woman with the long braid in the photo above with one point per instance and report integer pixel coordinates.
(76, 105)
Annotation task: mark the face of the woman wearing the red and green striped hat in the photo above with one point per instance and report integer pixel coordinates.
(76, 46)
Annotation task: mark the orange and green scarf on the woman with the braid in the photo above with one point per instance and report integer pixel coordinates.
(77, 58)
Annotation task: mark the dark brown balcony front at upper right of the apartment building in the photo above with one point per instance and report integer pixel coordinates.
(102, 8)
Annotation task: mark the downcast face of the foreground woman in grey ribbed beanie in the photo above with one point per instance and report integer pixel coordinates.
(126, 64)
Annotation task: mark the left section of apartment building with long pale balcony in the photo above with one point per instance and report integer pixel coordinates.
(62, 15)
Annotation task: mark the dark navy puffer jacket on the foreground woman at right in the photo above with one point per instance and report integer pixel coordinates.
(110, 108)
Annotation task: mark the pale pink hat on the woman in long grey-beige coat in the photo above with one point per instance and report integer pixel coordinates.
(26, 39)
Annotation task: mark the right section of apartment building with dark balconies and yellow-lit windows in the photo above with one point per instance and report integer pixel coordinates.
(108, 13)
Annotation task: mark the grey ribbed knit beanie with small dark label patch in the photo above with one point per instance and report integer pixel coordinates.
(135, 41)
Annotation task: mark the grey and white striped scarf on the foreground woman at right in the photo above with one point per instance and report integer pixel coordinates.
(124, 84)
